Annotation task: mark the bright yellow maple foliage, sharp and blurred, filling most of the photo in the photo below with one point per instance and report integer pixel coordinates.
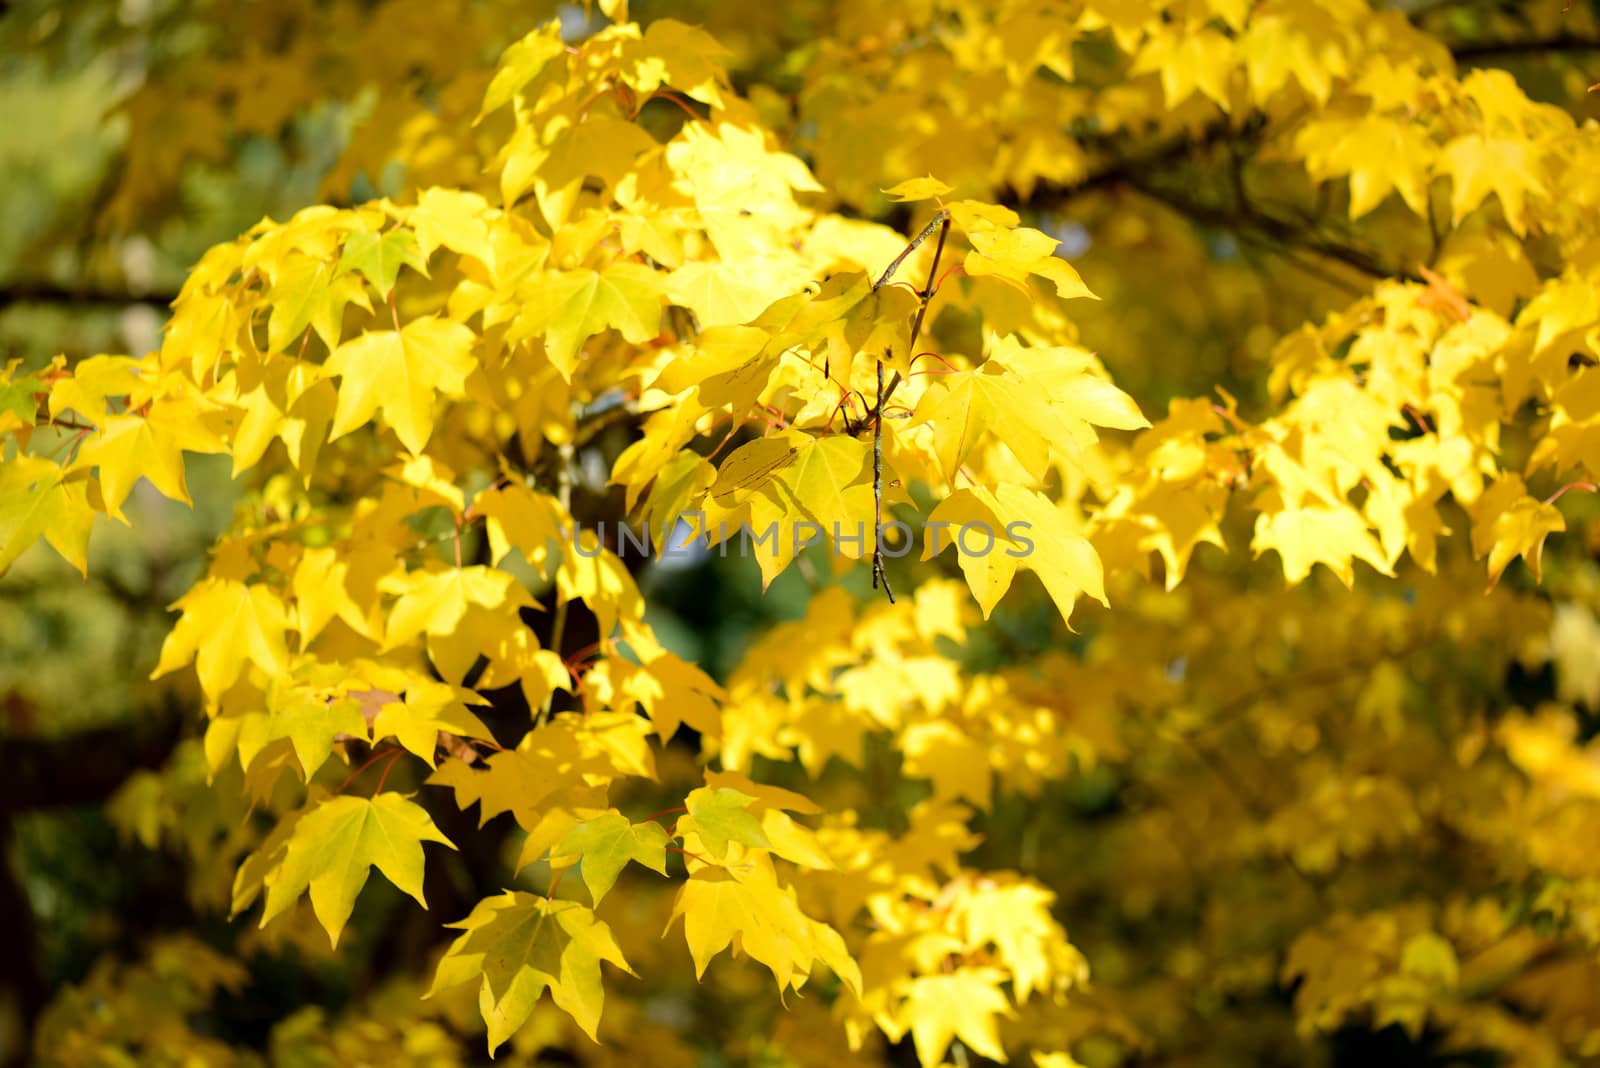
(1223, 693)
